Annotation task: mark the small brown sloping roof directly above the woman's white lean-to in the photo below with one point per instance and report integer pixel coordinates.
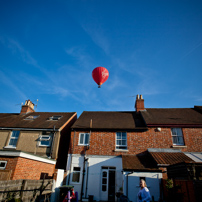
(138, 162)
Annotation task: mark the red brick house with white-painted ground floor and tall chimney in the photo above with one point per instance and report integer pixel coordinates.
(111, 151)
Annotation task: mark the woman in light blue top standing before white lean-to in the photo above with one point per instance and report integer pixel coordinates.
(143, 194)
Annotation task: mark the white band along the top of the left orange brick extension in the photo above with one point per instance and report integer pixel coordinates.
(27, 155)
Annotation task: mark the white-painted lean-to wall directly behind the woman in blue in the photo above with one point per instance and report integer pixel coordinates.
(152, 181)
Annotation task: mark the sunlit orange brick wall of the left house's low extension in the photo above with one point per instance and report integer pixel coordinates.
(23, 168)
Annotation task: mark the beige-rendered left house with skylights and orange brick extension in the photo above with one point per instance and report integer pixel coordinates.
(33, 144)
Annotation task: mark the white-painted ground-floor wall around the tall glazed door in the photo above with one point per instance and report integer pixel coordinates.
(95, 163)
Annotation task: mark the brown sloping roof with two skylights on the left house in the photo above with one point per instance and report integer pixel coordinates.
(41, 122)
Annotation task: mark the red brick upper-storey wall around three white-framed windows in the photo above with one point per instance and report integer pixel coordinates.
(103, 143)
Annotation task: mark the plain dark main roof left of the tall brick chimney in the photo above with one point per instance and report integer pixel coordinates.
(110, 120)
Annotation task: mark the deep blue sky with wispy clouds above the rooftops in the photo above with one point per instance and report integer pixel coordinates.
(48, 50)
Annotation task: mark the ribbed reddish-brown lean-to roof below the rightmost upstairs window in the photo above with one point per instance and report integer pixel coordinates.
(169, 158)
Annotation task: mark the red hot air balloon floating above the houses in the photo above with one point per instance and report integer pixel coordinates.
(100, 75)
